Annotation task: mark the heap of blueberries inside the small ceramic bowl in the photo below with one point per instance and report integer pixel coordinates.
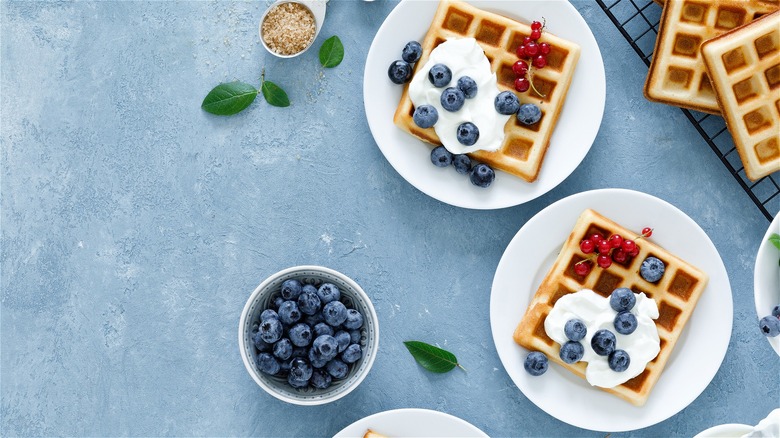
(308, 335)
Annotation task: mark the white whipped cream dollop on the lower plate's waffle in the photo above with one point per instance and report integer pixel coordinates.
(595, 312)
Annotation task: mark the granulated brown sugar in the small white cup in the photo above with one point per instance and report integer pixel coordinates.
(288, 28)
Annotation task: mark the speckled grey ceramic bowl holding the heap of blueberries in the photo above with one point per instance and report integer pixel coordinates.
(352, 295)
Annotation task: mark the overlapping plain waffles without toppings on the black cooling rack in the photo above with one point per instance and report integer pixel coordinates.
(739, 78)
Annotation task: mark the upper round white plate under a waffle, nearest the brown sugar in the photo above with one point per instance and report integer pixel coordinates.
(576, 128)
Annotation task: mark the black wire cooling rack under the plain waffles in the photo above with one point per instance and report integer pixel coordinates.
(638, 21)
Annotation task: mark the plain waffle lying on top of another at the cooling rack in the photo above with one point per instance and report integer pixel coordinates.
(744, 65)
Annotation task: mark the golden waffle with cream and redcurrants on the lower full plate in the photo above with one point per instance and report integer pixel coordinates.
(676, 294)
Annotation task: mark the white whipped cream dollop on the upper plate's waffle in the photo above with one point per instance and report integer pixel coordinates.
(464, 57)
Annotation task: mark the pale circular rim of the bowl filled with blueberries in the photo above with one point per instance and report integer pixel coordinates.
(245, 313)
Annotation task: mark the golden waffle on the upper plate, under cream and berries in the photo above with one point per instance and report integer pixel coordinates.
(524, 147)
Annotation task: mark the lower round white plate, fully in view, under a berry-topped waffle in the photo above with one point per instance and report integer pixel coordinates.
(697, 355)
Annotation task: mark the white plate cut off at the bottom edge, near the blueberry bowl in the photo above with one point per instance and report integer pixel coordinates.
(412, 423)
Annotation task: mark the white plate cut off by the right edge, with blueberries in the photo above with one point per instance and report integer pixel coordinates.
(766, 278)
